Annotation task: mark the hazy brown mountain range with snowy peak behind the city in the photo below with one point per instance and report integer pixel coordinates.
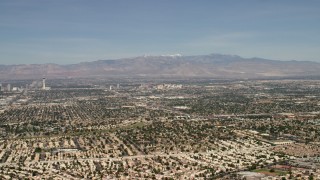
(213, 65)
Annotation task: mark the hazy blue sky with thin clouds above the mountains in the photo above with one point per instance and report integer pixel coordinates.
(73, 31)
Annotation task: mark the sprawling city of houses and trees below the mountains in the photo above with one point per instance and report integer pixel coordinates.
(154, 129)
